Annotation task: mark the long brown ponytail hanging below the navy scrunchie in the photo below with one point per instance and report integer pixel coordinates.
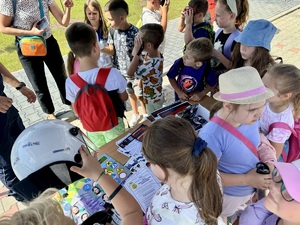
(205, 190)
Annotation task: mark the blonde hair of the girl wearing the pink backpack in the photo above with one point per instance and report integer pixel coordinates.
(287, 80)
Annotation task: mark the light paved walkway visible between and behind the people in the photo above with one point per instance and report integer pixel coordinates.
(286, 44)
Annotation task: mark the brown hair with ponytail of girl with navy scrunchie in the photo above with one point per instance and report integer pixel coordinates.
(169, 143)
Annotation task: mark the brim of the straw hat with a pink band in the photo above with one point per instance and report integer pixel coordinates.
(249, 100)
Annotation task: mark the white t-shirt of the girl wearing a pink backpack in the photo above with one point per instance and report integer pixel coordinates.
(277, 135)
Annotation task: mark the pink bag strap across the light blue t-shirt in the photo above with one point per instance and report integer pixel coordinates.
(227, 126)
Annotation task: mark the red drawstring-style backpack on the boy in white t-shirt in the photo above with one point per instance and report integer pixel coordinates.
(93, 104)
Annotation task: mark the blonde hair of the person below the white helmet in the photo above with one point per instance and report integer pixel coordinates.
(41, 211)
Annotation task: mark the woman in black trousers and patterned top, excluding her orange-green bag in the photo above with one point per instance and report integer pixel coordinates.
(20, 18)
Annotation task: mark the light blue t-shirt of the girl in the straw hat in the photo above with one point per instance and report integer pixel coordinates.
(234, 156)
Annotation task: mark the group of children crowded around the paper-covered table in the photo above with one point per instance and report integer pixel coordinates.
(208, 176)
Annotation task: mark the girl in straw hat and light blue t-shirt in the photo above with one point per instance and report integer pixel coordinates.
(242, 98)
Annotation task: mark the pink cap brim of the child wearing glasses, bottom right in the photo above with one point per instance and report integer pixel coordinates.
(290, 175)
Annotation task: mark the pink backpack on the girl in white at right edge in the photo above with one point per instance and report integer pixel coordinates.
(294, 140)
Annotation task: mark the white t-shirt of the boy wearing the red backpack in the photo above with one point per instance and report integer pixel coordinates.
(115, 81)
